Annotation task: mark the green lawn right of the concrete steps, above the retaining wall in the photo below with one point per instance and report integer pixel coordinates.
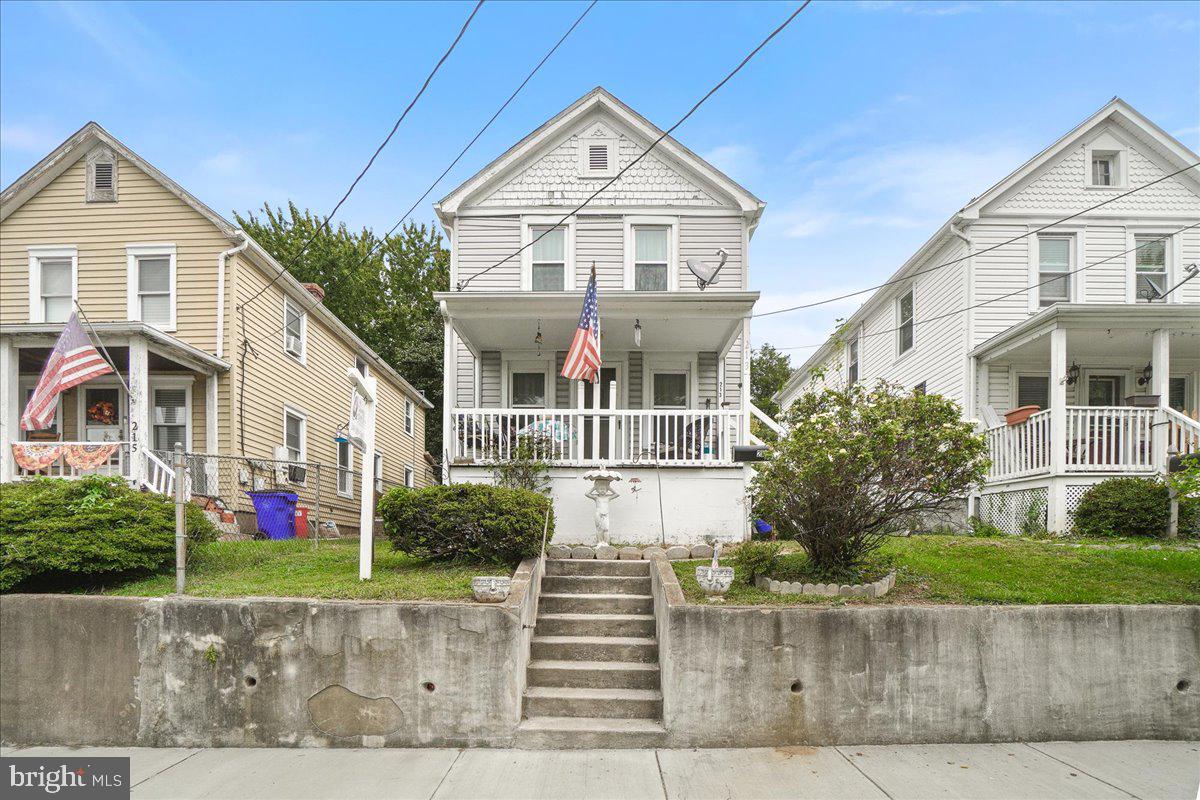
(1009, 570)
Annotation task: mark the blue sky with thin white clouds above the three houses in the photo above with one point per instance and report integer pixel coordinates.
(863, 127)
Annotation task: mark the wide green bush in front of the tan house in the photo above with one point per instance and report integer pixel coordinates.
(69, 534)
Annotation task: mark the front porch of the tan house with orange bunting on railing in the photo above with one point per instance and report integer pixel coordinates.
(100, 428)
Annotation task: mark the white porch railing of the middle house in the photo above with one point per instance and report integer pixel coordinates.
(578, 437)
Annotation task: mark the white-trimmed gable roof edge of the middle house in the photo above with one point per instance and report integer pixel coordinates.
(554, 130)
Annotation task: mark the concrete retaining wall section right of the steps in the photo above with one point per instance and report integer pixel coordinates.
(764, 677)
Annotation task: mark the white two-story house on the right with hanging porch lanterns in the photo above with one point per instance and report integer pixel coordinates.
(1090, 329)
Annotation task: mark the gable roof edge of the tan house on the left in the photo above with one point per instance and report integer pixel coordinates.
(80, 143)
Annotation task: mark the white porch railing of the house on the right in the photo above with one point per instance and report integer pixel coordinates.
(1096, 440)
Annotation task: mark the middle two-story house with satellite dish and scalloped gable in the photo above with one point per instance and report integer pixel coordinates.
(674, 399)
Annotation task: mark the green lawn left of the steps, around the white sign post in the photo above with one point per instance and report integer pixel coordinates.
(293, 569)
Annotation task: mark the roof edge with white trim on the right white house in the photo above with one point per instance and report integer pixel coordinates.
(1167, 146)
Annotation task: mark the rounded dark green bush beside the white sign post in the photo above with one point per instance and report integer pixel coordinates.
(466, 522)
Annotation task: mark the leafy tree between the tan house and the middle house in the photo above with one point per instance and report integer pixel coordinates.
(382, 290)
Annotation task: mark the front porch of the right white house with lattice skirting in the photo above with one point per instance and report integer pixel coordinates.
(1078, 394)
